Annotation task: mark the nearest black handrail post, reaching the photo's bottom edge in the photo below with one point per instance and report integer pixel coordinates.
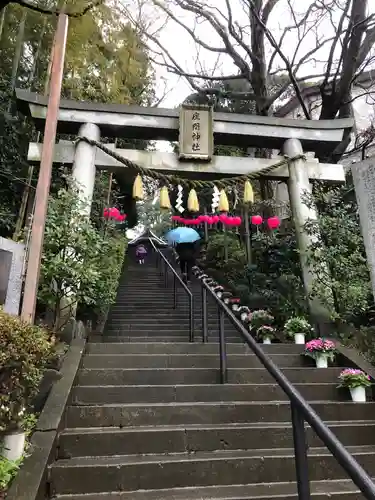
(300, 454)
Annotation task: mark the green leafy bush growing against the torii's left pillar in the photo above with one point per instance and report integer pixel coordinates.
(81, 260)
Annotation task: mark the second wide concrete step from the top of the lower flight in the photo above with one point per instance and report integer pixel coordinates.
(246, 360)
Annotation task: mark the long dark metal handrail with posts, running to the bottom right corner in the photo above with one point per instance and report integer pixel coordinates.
(300, 409)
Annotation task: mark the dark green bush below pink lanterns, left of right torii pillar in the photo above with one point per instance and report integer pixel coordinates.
(273, 280)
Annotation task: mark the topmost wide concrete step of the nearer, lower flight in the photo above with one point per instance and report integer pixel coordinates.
(186, 348)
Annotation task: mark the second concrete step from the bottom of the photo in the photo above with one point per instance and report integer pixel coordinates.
(95, 475)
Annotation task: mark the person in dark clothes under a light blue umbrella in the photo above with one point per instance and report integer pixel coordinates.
(185, 240)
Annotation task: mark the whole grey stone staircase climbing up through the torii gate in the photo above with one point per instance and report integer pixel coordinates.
(148, 420)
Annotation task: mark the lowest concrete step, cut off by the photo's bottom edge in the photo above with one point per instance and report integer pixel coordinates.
(320, 490)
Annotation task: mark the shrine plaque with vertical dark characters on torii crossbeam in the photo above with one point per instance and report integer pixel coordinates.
(196, 133)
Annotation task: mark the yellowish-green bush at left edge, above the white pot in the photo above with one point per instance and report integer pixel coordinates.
(25, 350)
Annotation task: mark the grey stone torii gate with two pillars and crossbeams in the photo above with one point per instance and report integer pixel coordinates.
(291, 137)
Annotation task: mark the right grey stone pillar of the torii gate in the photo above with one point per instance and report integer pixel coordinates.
(299, 187)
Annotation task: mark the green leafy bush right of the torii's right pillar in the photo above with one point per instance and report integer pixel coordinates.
(339, 244)
